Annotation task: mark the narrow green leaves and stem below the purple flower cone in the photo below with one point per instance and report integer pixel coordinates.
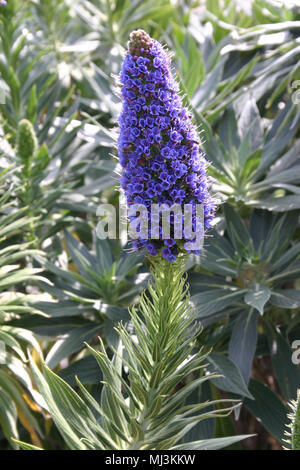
(146, 409)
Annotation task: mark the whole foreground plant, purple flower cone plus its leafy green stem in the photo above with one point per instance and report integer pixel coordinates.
(147, 408)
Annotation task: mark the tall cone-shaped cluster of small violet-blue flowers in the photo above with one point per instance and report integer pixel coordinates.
(158, 144)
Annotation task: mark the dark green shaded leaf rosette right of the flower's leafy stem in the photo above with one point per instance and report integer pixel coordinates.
(245, 274)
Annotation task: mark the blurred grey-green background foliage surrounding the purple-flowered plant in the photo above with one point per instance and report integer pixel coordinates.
(238, 65)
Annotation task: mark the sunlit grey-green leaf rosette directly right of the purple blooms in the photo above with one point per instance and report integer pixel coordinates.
(243, 157)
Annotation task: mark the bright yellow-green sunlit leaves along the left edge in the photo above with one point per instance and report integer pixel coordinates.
(15, 379)
